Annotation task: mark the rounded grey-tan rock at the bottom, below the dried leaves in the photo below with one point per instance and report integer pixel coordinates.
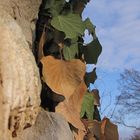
(48, 126)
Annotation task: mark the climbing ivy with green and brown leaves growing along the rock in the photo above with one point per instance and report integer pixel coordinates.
(62, 56)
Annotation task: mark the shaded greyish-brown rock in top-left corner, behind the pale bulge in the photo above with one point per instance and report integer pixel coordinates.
(24, 12)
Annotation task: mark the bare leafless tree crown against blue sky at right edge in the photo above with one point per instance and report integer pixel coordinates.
(129, 99)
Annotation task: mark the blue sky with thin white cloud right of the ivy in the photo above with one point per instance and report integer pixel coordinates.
(118, 29)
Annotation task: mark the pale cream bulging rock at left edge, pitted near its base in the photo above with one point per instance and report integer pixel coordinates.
(19, 79)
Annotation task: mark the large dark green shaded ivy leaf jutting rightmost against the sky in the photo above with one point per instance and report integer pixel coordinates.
(92, 51)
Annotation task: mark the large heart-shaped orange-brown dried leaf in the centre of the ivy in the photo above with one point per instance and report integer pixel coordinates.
(63, 77)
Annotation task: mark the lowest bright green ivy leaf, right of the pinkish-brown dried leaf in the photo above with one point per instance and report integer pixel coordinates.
(87, 106)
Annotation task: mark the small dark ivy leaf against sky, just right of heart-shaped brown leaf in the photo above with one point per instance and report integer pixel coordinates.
(90, 77)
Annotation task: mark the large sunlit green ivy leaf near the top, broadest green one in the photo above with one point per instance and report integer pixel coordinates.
(71, 24)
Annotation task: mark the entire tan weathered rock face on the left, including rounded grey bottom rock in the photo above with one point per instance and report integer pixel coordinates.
(20, 84)
